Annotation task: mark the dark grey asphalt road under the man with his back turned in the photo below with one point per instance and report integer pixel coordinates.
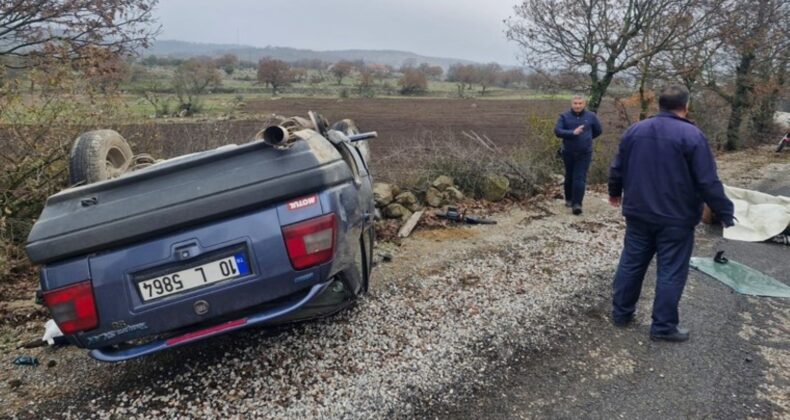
(736, 365)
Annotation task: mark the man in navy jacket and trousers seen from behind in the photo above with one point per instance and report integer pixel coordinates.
(663, 172)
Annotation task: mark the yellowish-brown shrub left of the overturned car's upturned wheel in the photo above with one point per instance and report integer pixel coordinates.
(37, 135)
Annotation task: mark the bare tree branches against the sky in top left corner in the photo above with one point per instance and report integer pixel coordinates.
(42, 31)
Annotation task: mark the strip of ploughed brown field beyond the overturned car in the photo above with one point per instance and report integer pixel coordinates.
(398, 121)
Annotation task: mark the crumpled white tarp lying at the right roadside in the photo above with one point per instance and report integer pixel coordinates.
(760, 216)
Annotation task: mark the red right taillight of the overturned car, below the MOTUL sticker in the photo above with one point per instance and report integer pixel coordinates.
(311, 242)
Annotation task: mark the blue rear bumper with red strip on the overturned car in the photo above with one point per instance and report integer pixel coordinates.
(263, 317)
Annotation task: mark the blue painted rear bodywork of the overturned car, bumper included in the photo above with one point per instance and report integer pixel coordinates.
(124, 316)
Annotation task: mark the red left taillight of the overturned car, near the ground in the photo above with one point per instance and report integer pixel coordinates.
(73, 307)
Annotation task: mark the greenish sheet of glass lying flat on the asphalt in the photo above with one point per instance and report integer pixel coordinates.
(741, 278)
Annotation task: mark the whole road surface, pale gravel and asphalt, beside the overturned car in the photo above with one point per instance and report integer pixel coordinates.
(485, 321)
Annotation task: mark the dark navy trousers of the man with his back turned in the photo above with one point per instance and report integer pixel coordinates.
(672, 245)
